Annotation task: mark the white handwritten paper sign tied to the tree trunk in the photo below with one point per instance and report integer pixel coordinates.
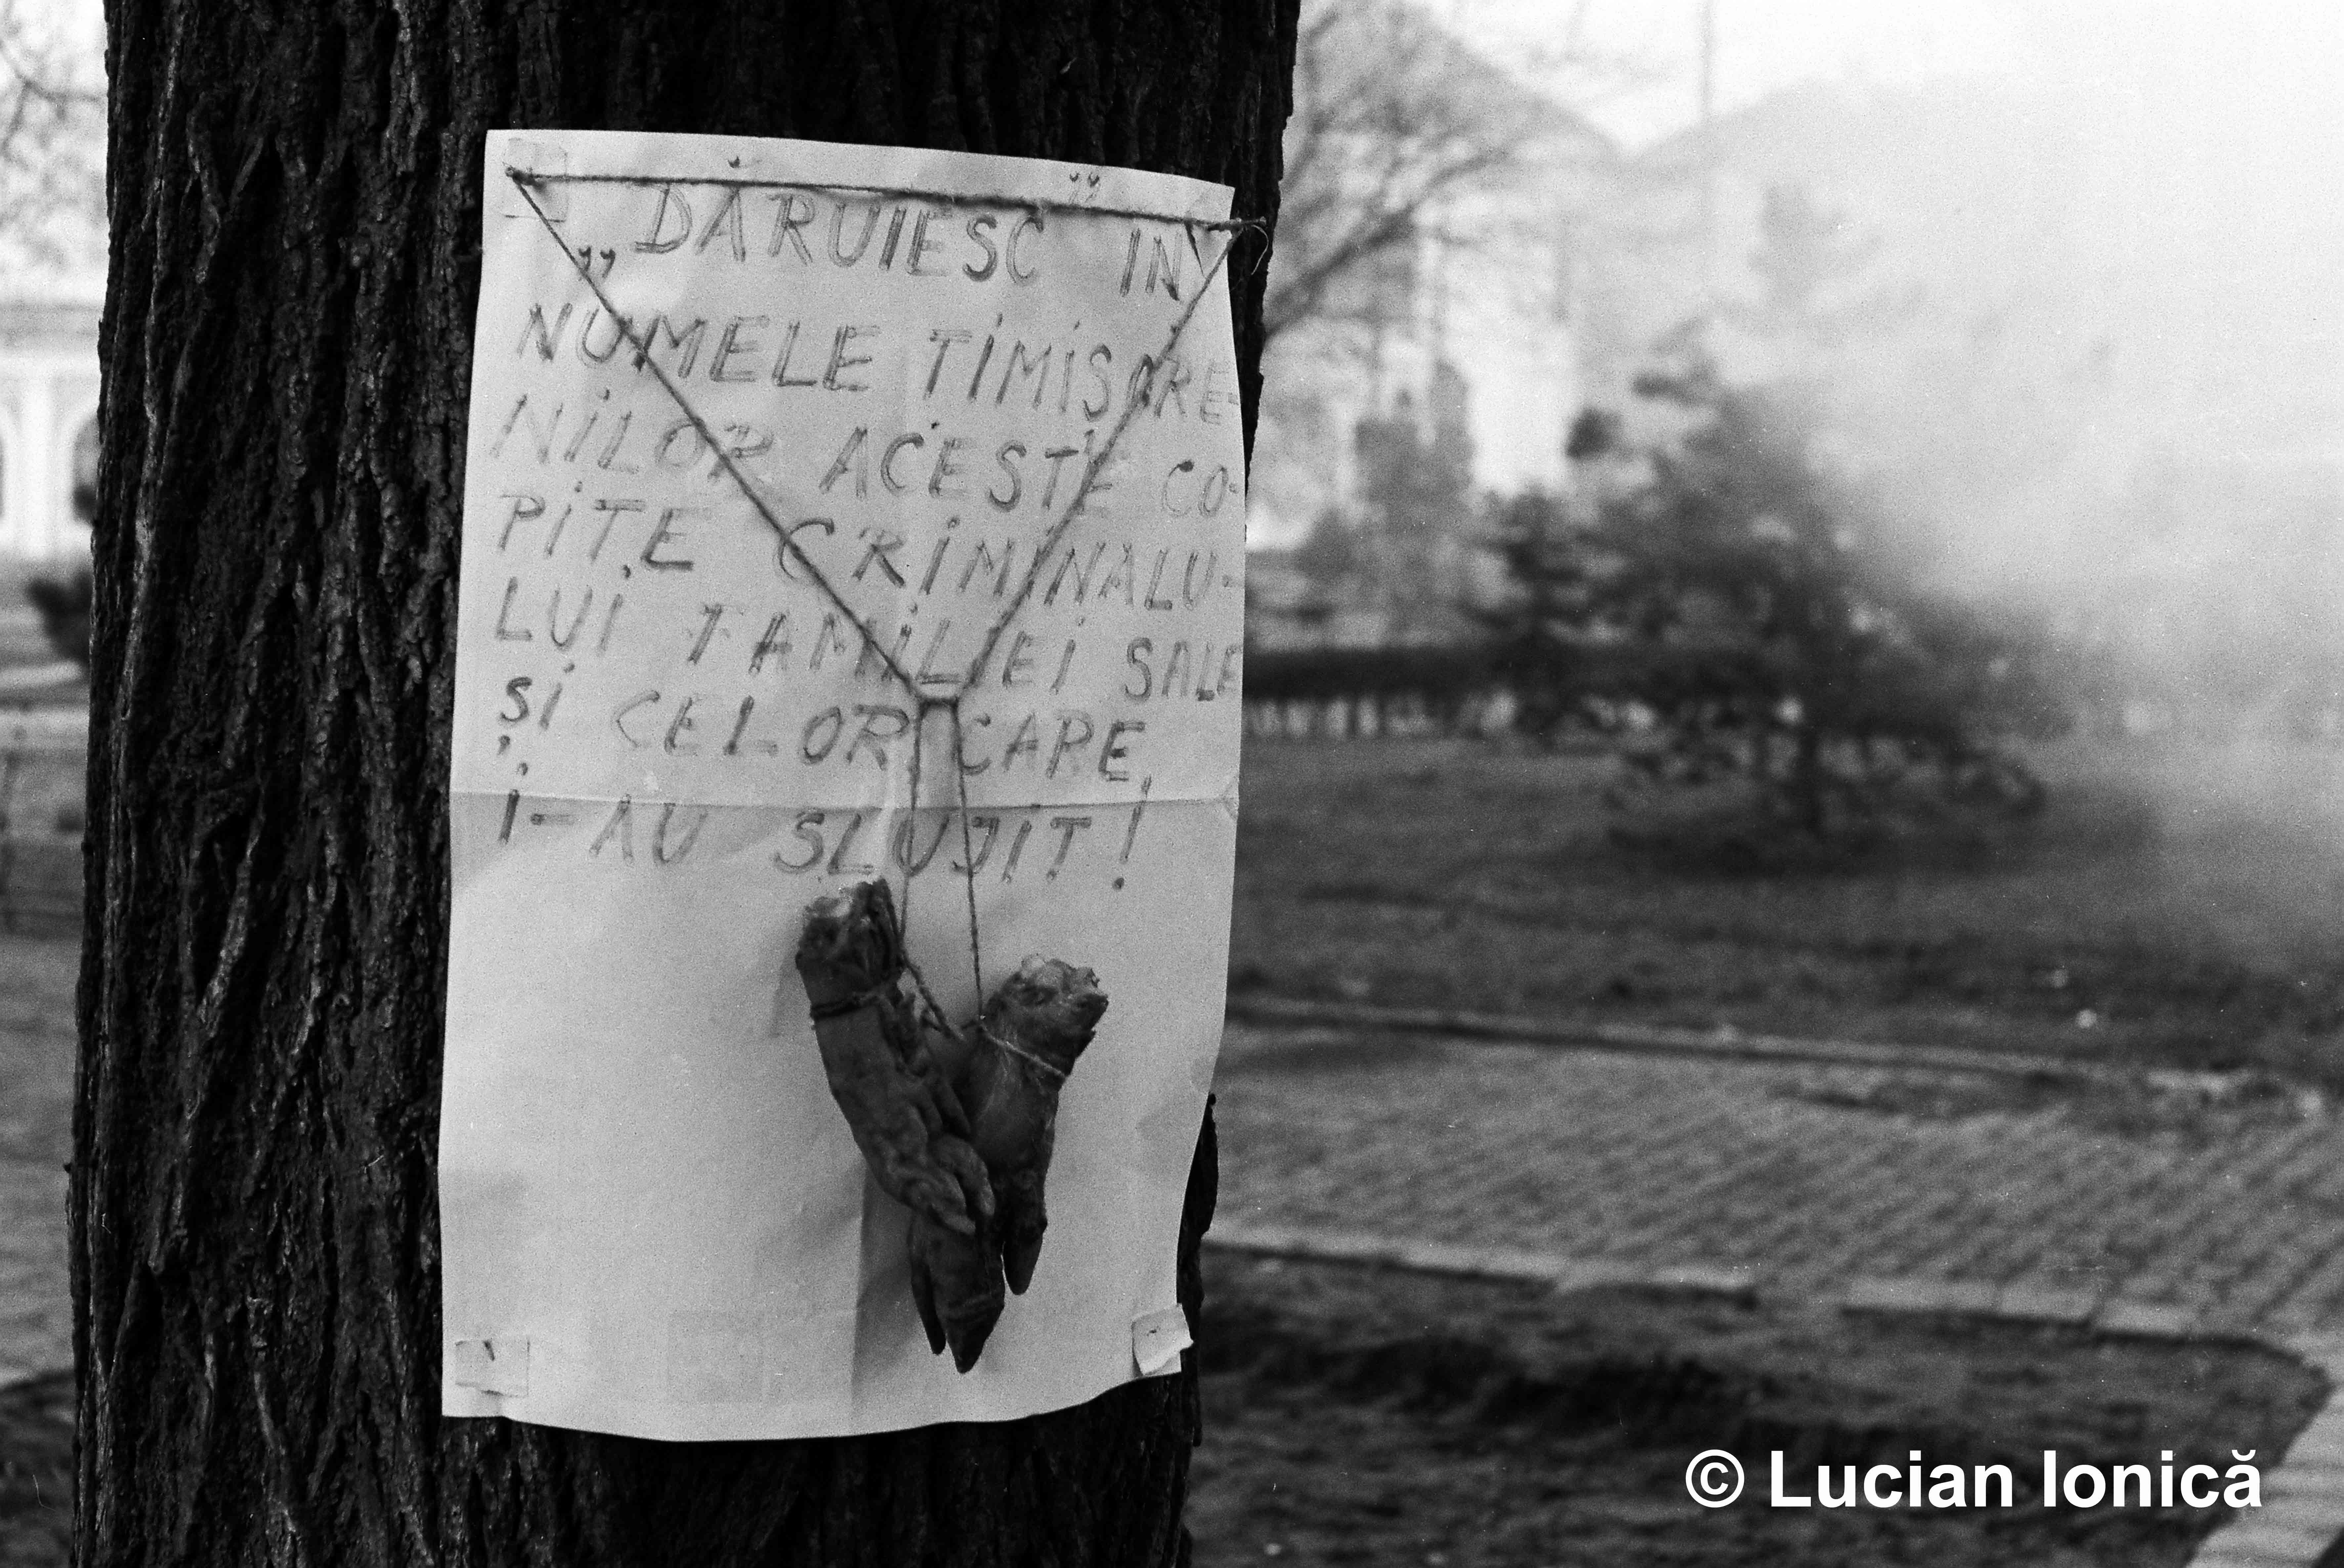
(831, 514)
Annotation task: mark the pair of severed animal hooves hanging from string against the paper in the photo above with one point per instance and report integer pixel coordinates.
(955, 1124)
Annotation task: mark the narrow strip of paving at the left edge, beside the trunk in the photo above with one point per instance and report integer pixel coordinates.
(36, 1140)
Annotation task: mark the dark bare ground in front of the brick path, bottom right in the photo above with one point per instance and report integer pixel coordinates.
(1368, 1417)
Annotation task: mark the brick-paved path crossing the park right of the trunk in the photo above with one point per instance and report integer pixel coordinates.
(2219, 1199)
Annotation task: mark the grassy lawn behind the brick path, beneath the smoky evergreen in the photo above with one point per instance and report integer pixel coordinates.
(2172, 906)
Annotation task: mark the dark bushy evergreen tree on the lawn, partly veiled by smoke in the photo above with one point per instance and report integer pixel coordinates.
(1747, 613)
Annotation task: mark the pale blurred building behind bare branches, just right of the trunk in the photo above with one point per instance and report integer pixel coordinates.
(1461, 341)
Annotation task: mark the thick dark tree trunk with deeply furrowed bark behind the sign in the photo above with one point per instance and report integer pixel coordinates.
(297, 212)
